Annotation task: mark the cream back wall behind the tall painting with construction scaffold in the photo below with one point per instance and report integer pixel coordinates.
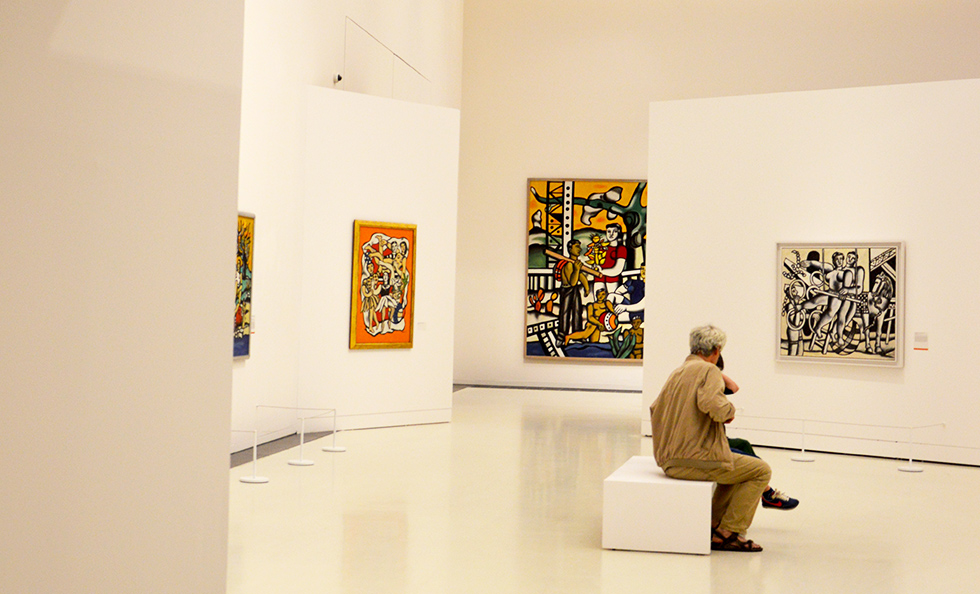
(552, 88)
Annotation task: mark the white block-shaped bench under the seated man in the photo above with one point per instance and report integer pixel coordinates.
(645, 510)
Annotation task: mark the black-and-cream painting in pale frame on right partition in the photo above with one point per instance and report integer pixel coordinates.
(841, 303)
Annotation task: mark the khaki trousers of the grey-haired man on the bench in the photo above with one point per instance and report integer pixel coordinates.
(737, 496)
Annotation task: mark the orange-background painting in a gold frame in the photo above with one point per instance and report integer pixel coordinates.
(382, 311)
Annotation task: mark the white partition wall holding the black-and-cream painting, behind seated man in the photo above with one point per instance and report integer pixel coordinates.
(731, 177)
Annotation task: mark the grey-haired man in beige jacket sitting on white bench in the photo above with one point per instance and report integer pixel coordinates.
(689, 441)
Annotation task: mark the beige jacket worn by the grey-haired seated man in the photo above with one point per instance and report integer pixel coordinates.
(688, 418)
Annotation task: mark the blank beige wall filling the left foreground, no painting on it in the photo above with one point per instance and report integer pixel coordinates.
(119, 129)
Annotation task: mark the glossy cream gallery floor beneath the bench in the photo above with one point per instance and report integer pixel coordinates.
(508, 499)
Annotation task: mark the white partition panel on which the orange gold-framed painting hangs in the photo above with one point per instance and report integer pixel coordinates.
(376, 159)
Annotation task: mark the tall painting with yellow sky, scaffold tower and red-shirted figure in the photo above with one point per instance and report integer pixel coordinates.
(586, 248)
